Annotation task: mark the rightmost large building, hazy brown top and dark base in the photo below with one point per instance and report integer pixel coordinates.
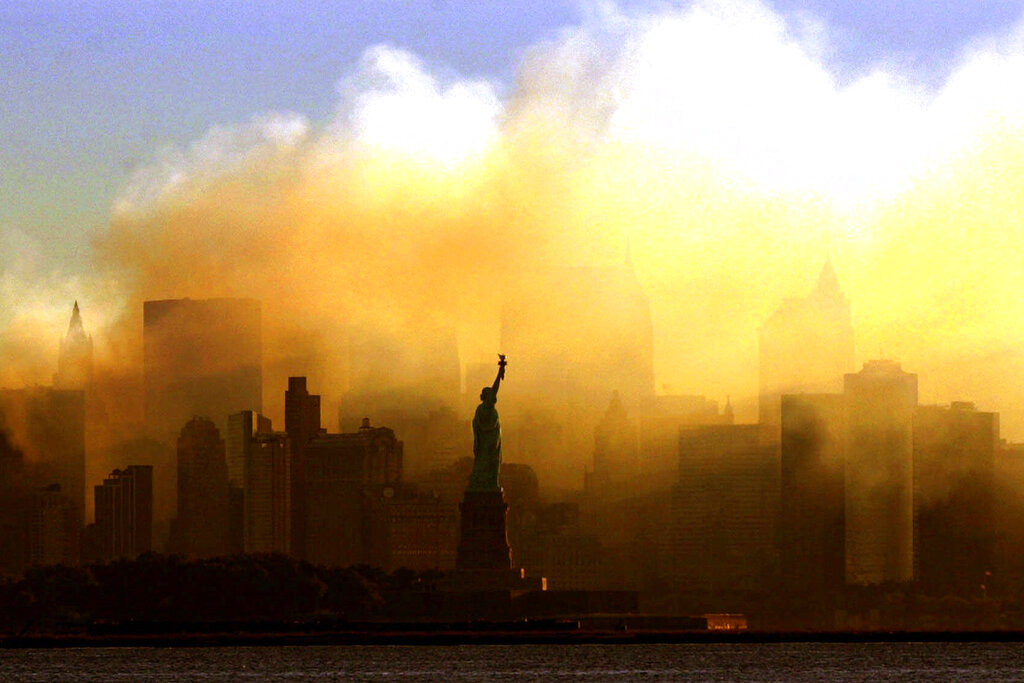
(954, 489)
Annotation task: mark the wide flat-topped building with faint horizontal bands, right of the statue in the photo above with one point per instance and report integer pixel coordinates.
(723, 509)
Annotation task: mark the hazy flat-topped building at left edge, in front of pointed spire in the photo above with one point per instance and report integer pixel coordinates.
(49, 426)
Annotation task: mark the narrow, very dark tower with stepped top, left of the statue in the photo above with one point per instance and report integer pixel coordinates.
(303, 423)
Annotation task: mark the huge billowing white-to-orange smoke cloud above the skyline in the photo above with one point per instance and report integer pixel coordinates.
(717, 141)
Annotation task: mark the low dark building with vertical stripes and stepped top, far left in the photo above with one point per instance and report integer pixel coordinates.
(124, 515)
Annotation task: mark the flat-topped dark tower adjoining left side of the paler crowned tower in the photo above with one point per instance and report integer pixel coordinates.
(813, 509)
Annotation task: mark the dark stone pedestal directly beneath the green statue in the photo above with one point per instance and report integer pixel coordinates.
(484, 546)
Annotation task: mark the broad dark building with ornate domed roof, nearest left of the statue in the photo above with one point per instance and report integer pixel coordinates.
(343, 474)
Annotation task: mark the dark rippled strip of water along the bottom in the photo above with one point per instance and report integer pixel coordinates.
(776, 662)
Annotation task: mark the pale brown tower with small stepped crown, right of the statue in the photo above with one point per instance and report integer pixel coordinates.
(881, 400)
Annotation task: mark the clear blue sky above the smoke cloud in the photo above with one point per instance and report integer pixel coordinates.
(90, 91)
